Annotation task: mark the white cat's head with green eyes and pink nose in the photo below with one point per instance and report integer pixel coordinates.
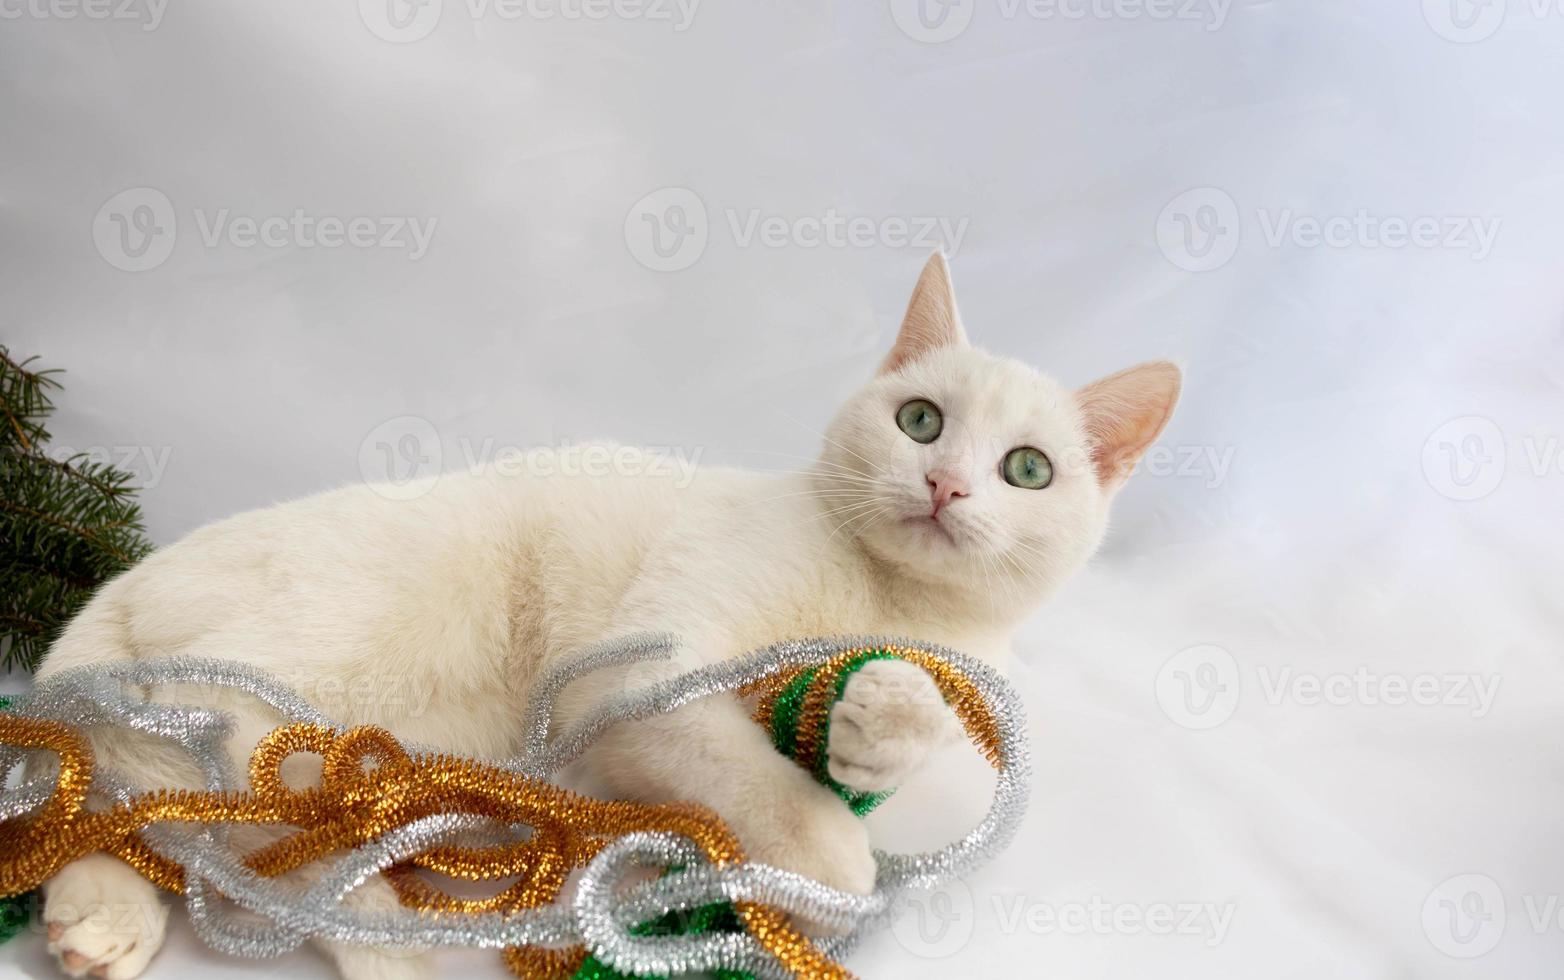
(964, 468)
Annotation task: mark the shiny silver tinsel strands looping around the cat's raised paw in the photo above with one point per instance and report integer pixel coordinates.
(264, 918)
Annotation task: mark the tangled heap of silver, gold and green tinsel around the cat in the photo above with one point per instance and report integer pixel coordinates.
(420, 810)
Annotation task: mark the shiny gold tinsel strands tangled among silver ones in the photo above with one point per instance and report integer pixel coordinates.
(357, 803)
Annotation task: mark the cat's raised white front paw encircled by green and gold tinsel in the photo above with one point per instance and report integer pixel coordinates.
(888, 723)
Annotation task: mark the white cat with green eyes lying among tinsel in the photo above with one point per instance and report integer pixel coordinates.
(953, 495)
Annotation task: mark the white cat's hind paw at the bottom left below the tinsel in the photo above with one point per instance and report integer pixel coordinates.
(104, 920)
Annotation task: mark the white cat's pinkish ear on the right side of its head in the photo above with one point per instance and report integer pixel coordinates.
(1125, 413)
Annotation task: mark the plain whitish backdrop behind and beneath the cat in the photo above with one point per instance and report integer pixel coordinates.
(1390, 417)
